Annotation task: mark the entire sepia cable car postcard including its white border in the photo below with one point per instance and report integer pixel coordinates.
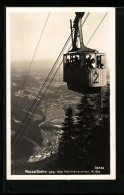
(60, 81)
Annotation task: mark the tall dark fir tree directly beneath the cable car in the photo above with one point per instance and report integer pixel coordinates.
(85, 127)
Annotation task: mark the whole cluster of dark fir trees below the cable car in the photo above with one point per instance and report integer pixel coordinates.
(85, 143)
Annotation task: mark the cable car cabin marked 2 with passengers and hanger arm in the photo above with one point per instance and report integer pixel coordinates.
(84, 68)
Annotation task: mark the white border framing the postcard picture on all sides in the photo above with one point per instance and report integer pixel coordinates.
(112, 175)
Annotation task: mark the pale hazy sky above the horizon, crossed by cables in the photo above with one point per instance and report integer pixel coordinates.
(26, 27)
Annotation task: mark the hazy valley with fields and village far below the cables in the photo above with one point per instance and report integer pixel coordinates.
(35, 130)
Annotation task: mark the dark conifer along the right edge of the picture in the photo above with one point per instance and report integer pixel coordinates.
(100, 150)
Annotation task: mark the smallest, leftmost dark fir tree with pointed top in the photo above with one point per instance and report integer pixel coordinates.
(66, 141)
